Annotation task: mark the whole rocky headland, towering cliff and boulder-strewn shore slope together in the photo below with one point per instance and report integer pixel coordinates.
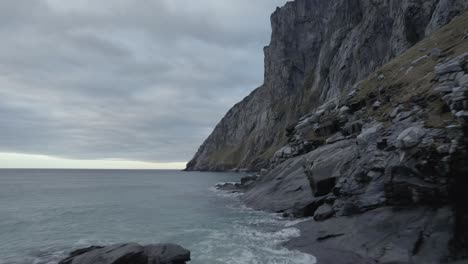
(378, 160)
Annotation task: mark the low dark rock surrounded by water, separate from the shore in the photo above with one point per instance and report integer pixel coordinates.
(129, 254)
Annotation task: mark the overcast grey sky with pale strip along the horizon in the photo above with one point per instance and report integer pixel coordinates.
(123, 83)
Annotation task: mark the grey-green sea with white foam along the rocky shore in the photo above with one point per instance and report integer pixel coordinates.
(44, 214)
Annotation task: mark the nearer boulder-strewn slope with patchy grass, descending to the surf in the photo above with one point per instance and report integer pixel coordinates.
(382, 169)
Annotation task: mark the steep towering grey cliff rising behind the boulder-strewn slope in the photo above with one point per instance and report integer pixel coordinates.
(318, 51)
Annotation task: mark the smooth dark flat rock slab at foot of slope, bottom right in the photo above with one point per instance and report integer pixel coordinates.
(384, 235)
